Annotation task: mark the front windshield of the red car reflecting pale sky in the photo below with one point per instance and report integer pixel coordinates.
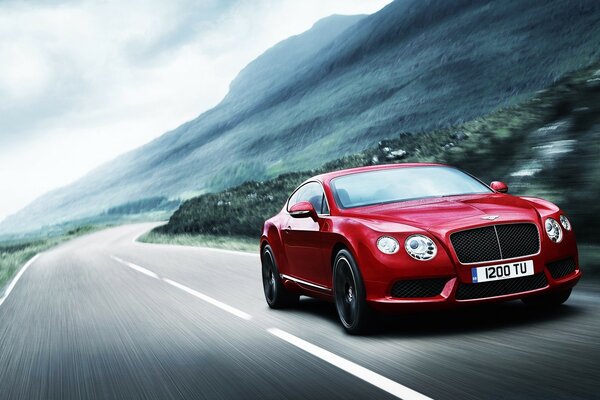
(401, 184)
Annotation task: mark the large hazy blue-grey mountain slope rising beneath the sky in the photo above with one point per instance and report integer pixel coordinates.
(348, 82)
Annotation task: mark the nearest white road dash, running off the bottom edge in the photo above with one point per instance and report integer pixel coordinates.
(363, 373)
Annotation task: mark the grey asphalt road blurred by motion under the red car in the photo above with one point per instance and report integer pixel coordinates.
(104, 317)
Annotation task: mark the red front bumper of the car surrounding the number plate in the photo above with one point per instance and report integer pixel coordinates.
(381, 272)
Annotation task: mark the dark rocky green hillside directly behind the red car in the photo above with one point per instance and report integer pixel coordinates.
(546, 146)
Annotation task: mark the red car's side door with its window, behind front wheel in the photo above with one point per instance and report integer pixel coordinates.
(302, 237)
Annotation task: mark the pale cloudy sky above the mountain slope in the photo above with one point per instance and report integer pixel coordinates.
(81, 82)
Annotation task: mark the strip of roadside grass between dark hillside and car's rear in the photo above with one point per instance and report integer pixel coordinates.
(239, 243)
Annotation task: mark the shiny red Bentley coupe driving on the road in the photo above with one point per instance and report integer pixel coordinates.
(404, 236)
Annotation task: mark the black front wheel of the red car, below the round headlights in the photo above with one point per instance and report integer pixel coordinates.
(350, 294)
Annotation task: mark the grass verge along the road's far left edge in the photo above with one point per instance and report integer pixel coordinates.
(14, 254)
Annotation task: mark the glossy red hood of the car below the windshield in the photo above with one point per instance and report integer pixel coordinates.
(448, 213)
